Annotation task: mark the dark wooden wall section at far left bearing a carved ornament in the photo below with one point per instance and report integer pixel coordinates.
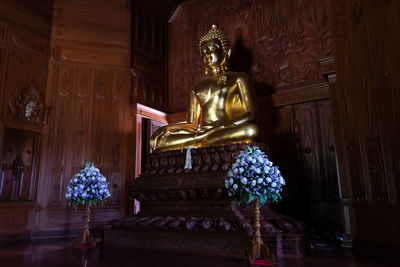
(24, 52)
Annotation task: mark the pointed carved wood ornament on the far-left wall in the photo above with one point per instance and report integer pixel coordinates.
(27, 105)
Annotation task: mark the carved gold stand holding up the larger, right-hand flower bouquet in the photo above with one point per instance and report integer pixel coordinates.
(259, 253)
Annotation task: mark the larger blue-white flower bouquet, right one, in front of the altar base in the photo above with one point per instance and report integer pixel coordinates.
(253, 176)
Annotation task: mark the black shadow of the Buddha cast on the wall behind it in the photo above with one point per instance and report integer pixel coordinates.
(280, 145)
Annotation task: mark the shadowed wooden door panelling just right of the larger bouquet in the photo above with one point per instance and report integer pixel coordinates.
(312, 181)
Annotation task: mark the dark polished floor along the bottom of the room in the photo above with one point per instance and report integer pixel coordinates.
(57, 253)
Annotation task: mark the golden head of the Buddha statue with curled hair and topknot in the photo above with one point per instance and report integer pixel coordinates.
(215, 51)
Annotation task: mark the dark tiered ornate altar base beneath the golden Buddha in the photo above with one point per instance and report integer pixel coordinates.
(190, 210)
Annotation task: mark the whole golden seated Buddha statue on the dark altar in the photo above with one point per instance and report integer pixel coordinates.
(221, 107)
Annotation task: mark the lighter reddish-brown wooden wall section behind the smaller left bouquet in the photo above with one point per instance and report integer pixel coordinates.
(90, 120)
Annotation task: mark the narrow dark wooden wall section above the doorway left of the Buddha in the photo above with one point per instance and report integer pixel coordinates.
(148, 61)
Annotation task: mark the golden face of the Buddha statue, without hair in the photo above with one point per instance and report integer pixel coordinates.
(213, 54)
